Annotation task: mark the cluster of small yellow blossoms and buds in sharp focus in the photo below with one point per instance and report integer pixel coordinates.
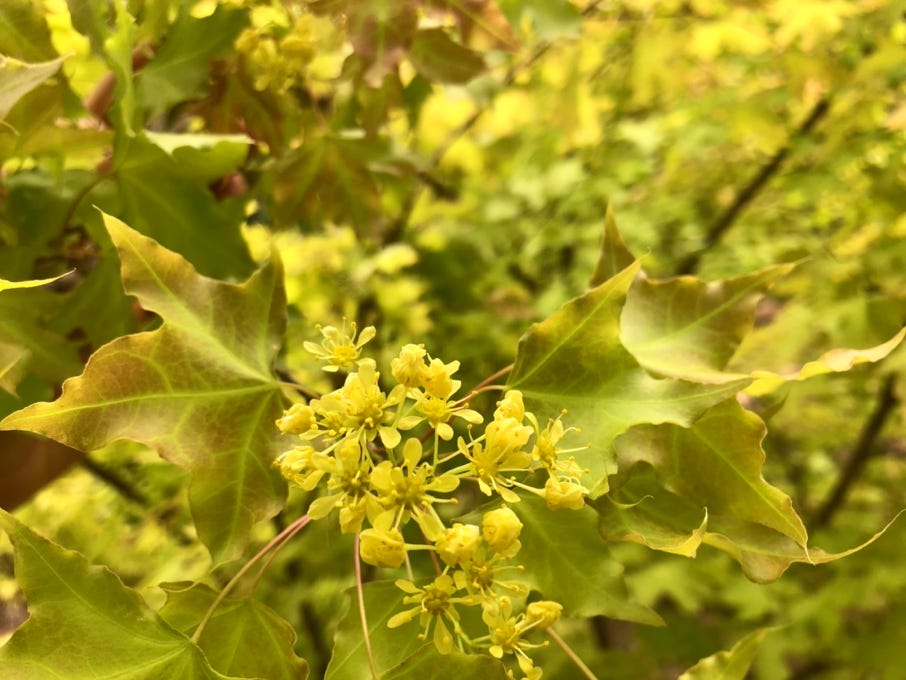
(365, 448)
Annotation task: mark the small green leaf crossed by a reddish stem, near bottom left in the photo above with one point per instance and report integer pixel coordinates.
(243, 637)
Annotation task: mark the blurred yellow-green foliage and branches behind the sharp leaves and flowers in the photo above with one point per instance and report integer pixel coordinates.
(441, 169)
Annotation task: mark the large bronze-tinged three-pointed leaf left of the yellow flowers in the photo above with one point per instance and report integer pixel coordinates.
(199, 389)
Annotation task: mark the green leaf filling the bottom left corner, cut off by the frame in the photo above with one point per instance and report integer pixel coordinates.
(84, 623)
